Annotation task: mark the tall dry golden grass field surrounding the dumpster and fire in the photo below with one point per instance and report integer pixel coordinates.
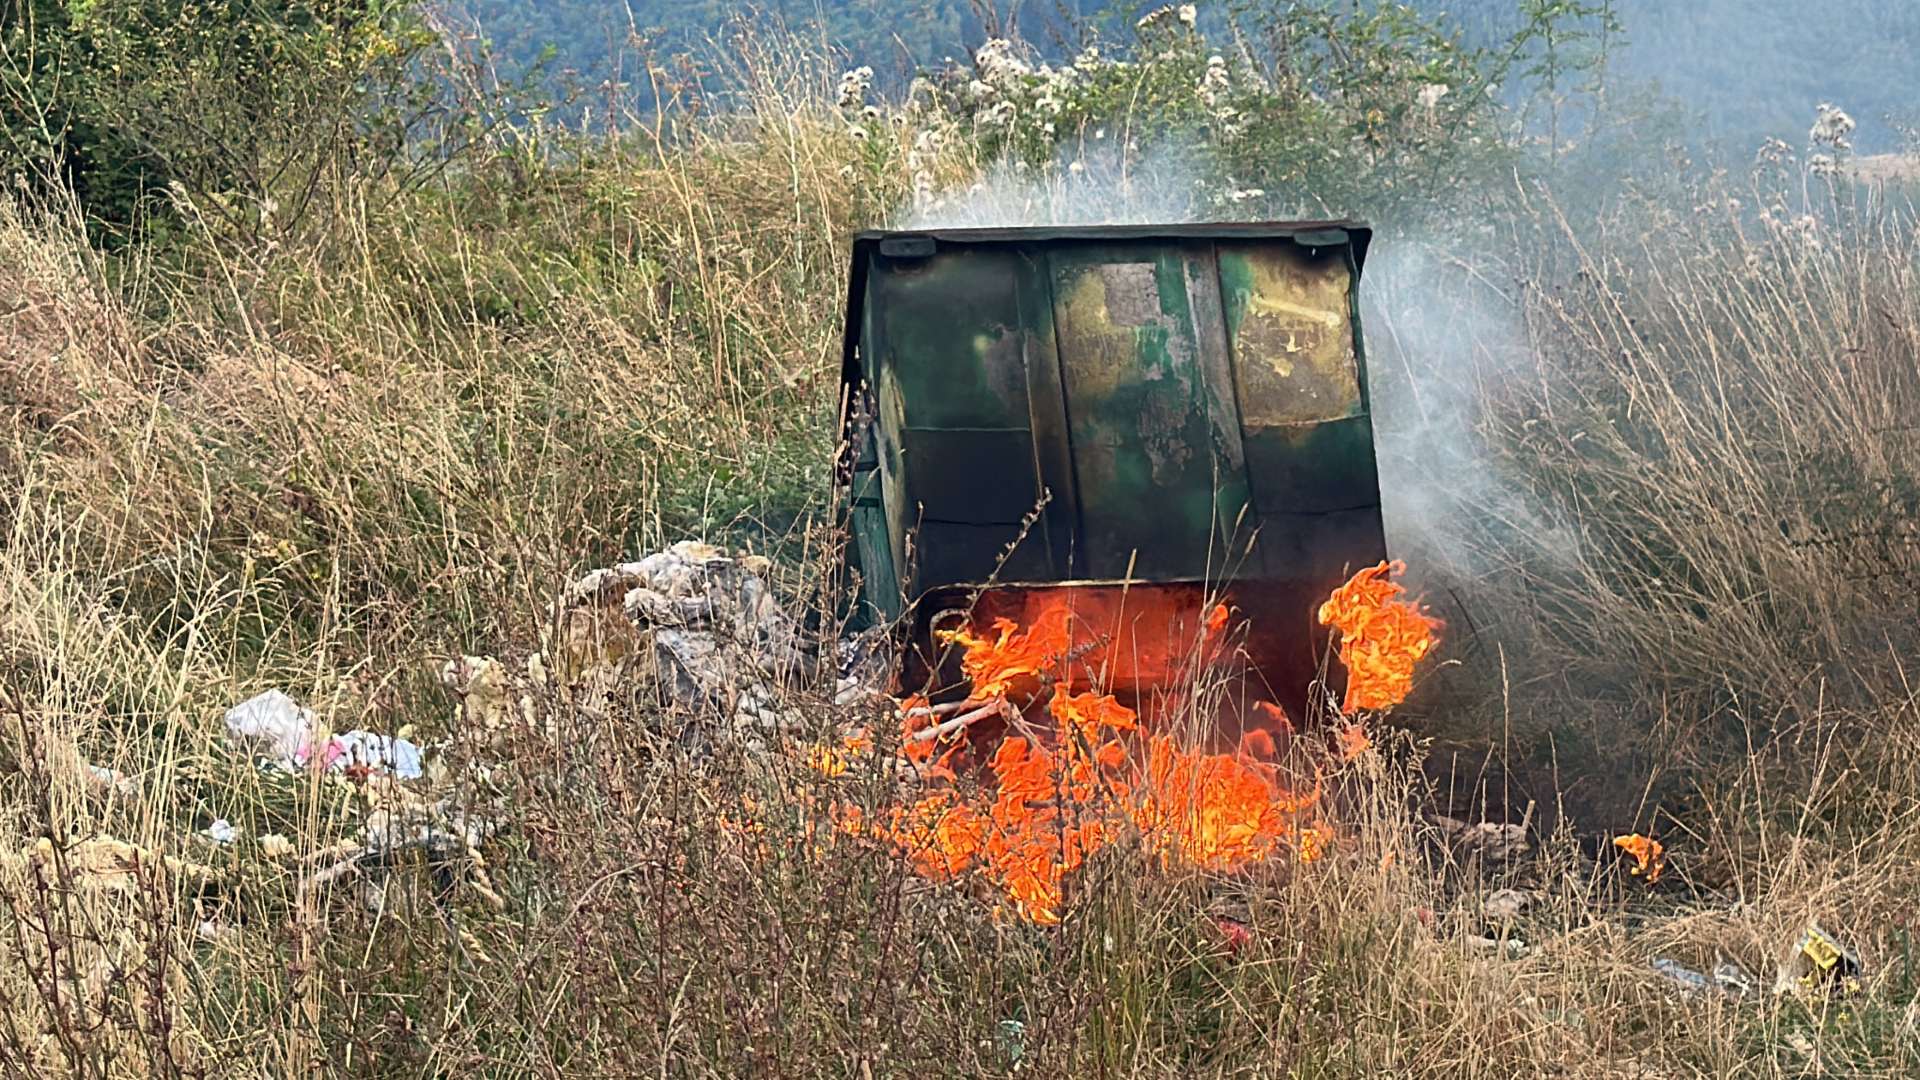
(335, 470)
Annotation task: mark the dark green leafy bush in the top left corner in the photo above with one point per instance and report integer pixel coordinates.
(239, 112)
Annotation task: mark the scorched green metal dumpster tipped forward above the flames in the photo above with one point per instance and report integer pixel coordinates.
(1180, 406)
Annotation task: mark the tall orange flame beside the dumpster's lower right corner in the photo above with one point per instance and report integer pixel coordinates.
(1381, 637)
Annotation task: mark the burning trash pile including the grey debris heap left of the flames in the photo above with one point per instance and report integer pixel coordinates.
(1049, 749)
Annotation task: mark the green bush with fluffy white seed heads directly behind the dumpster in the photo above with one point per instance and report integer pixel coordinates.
(1308, 110)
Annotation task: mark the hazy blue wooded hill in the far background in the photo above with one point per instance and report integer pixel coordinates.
(1740, 70)
